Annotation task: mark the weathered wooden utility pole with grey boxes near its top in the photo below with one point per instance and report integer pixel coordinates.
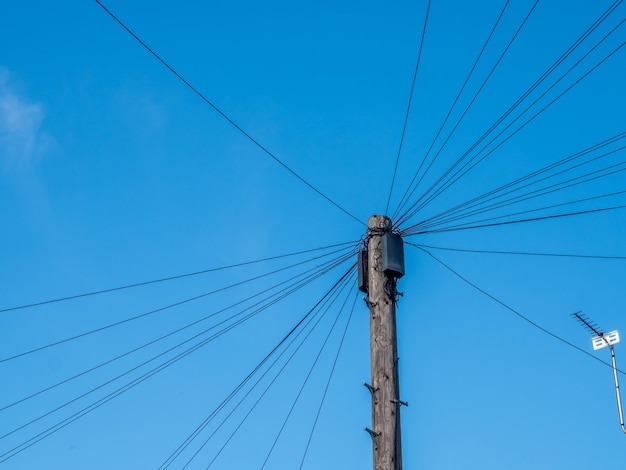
(381, 299)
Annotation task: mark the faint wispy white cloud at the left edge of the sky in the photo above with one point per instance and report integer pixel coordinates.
(22, 138)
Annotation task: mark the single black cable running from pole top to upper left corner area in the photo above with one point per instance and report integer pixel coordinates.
(225, 116)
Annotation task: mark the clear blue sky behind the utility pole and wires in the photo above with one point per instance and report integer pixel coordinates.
(113, 172)
